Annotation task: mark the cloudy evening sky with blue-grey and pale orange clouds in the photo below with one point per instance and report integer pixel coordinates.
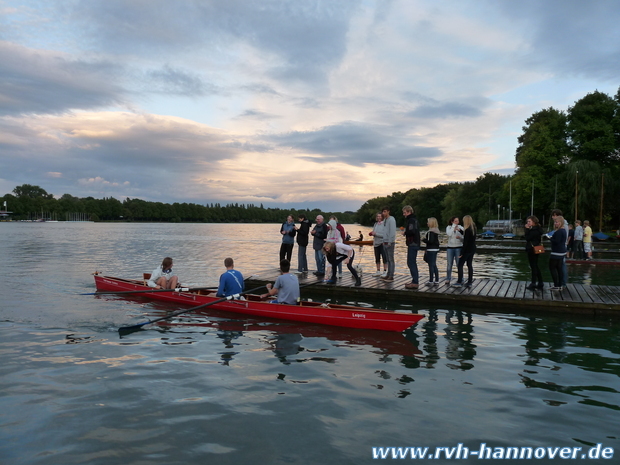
(290, 104)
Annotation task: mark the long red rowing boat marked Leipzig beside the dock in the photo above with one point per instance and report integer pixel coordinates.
(347, 316)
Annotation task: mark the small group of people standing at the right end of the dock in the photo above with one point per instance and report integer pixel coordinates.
(565, 242)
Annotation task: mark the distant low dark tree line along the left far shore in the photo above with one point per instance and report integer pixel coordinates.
(27, 200)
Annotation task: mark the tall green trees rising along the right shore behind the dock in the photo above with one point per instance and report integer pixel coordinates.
(569, 160)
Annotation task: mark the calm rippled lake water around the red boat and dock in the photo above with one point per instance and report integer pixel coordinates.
(216, 389)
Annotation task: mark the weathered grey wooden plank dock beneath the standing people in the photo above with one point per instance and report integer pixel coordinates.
(491, 294)
